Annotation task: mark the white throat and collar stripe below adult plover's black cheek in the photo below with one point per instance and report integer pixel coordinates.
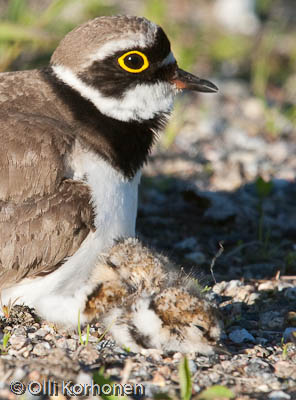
(140, 103)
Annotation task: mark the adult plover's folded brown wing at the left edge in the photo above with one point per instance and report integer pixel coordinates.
(43, 216)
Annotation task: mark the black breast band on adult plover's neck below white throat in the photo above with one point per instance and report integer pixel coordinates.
(123, 144)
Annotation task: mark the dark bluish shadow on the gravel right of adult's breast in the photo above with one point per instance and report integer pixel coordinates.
(255, 224)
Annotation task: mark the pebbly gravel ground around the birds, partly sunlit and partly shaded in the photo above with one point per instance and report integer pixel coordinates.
(202, 204)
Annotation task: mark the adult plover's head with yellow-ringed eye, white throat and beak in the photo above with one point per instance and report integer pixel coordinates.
(124, 66)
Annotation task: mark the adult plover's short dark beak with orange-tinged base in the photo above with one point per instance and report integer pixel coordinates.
(185, 80)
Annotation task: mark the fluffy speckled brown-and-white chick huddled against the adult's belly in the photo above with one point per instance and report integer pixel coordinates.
(148, 303)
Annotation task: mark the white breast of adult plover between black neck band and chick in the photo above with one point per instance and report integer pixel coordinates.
(114, 198)
